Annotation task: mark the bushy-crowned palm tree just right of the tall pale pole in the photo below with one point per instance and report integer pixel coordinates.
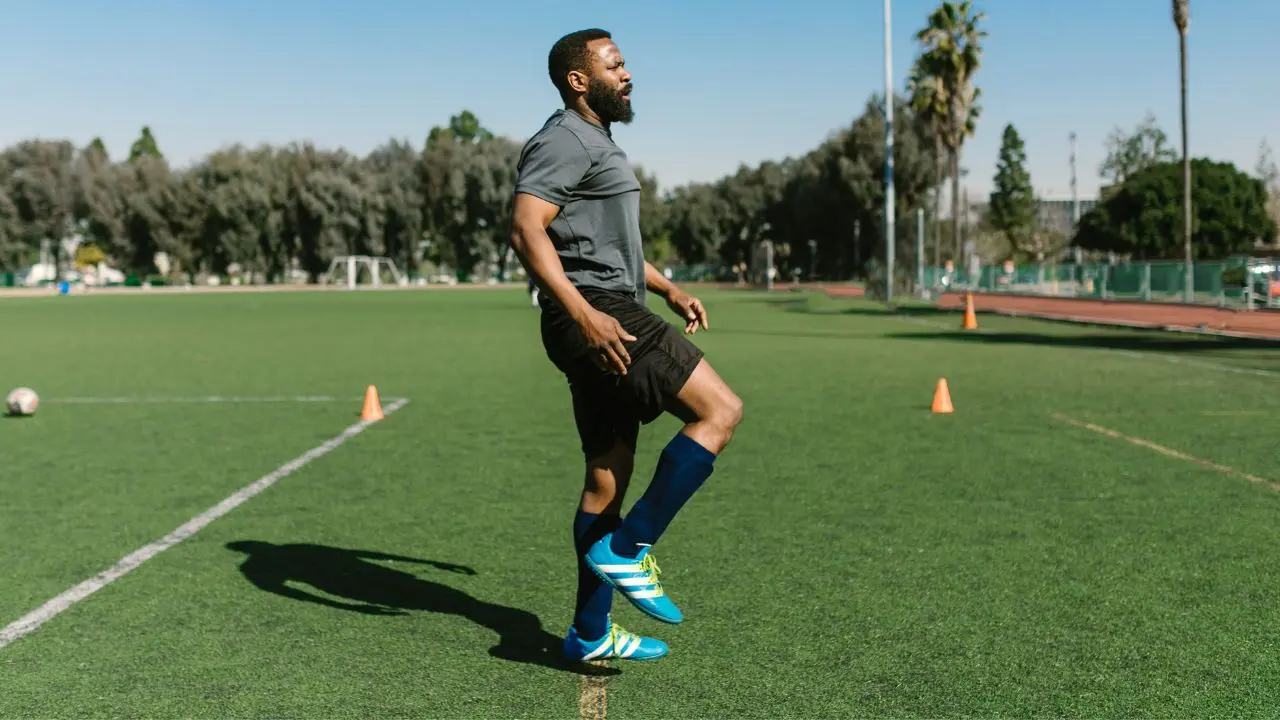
(952, 54)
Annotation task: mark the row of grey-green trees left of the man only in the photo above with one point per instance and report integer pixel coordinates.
(264, 209)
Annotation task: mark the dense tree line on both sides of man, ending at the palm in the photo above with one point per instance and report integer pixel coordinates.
(440, 207)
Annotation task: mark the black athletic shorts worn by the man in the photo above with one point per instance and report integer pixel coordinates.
(609, 408)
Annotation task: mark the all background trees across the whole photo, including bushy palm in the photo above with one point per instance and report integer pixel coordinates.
(442, 206)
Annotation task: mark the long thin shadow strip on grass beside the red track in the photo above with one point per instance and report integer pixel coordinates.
(1142, 341)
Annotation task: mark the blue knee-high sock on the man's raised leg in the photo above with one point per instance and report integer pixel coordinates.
(683, 468)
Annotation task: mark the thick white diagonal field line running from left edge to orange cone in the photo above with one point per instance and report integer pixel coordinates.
(29, 623)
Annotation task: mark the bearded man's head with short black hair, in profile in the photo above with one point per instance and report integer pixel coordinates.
(587, 66)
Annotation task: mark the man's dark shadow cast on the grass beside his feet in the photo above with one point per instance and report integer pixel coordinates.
(371, 589)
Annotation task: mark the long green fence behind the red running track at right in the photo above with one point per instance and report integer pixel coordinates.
(1236, 282)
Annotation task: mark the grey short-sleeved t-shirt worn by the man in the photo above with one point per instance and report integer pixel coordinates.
(575, 165)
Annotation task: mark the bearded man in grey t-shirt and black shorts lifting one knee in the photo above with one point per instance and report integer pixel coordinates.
(575, 227)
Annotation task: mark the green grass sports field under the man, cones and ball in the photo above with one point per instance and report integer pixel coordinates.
(854, 555)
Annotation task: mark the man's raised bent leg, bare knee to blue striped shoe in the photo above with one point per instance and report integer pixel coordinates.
(712, 413)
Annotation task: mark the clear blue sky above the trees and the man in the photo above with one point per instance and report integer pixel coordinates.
(719, 83)
